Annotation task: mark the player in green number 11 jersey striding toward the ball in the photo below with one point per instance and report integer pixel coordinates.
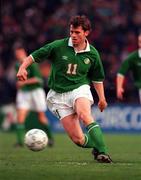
(75, 64)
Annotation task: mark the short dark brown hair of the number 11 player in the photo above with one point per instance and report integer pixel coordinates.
(81, 20)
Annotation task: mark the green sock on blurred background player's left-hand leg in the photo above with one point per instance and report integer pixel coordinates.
(20, 132)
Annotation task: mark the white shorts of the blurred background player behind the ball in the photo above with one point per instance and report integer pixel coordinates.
(31, 100)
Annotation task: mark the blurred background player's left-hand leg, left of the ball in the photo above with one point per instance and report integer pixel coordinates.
(20, 126)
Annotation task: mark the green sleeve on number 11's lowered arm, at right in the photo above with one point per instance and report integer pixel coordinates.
(96, 73)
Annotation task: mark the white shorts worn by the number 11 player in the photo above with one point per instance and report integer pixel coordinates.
(62, 104)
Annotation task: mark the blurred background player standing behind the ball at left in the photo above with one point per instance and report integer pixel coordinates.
(30, 96)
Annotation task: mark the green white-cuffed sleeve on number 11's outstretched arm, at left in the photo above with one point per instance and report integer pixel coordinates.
(43, 53)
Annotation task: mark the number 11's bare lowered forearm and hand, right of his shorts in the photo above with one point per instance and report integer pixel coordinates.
(102, 104)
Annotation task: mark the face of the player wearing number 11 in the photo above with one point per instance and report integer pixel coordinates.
(78, 35)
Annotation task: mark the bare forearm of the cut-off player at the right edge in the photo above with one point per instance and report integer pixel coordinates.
(119, 86)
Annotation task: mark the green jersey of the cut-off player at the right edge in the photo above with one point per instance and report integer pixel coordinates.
(132, 63)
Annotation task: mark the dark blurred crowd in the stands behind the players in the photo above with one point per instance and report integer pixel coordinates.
(115, 25)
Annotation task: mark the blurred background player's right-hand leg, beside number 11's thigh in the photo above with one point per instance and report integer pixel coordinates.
(45, 123)
